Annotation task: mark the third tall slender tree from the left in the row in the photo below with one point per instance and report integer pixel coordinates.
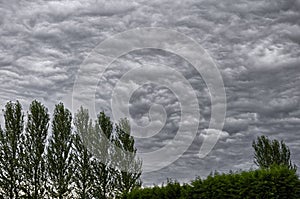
(60, 155)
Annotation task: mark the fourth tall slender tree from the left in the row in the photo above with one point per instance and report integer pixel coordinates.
(83, 176)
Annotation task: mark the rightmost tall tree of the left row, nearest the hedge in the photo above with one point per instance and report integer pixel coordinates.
(128, 177)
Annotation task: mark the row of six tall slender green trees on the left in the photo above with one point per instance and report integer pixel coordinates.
(75, 158)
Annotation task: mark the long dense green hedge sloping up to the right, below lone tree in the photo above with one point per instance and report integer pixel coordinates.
(275, 182)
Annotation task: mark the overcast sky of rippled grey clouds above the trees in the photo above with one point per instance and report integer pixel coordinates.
(255, 45)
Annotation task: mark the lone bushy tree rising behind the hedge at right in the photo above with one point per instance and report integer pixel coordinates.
(271, 152)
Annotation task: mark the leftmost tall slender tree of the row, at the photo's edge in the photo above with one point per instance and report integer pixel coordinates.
(10, 147)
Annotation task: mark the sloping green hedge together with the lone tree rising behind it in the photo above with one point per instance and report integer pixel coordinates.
(276, 178)
